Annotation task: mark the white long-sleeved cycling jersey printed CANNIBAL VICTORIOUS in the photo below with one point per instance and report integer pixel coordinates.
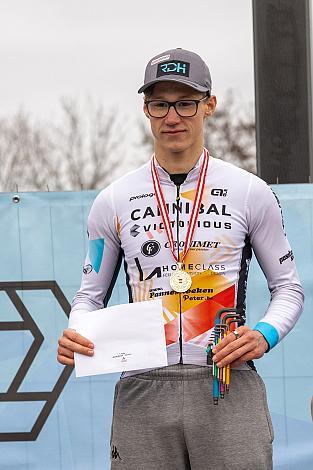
(239, 212)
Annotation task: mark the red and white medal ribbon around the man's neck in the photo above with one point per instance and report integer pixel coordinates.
(195, 208)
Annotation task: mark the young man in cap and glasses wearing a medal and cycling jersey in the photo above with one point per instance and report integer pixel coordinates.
(186, 224)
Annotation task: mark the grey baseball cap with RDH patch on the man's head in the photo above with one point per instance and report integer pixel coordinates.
(178, 65)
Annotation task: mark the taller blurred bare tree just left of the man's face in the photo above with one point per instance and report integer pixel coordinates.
(89, 145)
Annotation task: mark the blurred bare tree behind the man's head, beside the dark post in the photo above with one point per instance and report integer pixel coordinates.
(229, 134)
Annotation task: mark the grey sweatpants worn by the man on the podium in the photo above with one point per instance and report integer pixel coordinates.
(165, 420)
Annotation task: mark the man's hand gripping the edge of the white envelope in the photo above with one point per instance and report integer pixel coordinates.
(72, 342)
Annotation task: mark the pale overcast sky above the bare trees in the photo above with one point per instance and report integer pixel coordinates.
(55, 48)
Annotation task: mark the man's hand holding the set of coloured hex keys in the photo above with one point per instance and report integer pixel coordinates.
(250, 345)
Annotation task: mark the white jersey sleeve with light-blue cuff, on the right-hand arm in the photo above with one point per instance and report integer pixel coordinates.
(276, 259)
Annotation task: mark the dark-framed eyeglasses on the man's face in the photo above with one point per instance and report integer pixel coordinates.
(184, 108)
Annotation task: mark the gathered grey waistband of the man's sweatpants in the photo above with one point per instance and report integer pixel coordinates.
(177, 372)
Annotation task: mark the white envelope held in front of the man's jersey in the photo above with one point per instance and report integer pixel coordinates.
(125, 337)
